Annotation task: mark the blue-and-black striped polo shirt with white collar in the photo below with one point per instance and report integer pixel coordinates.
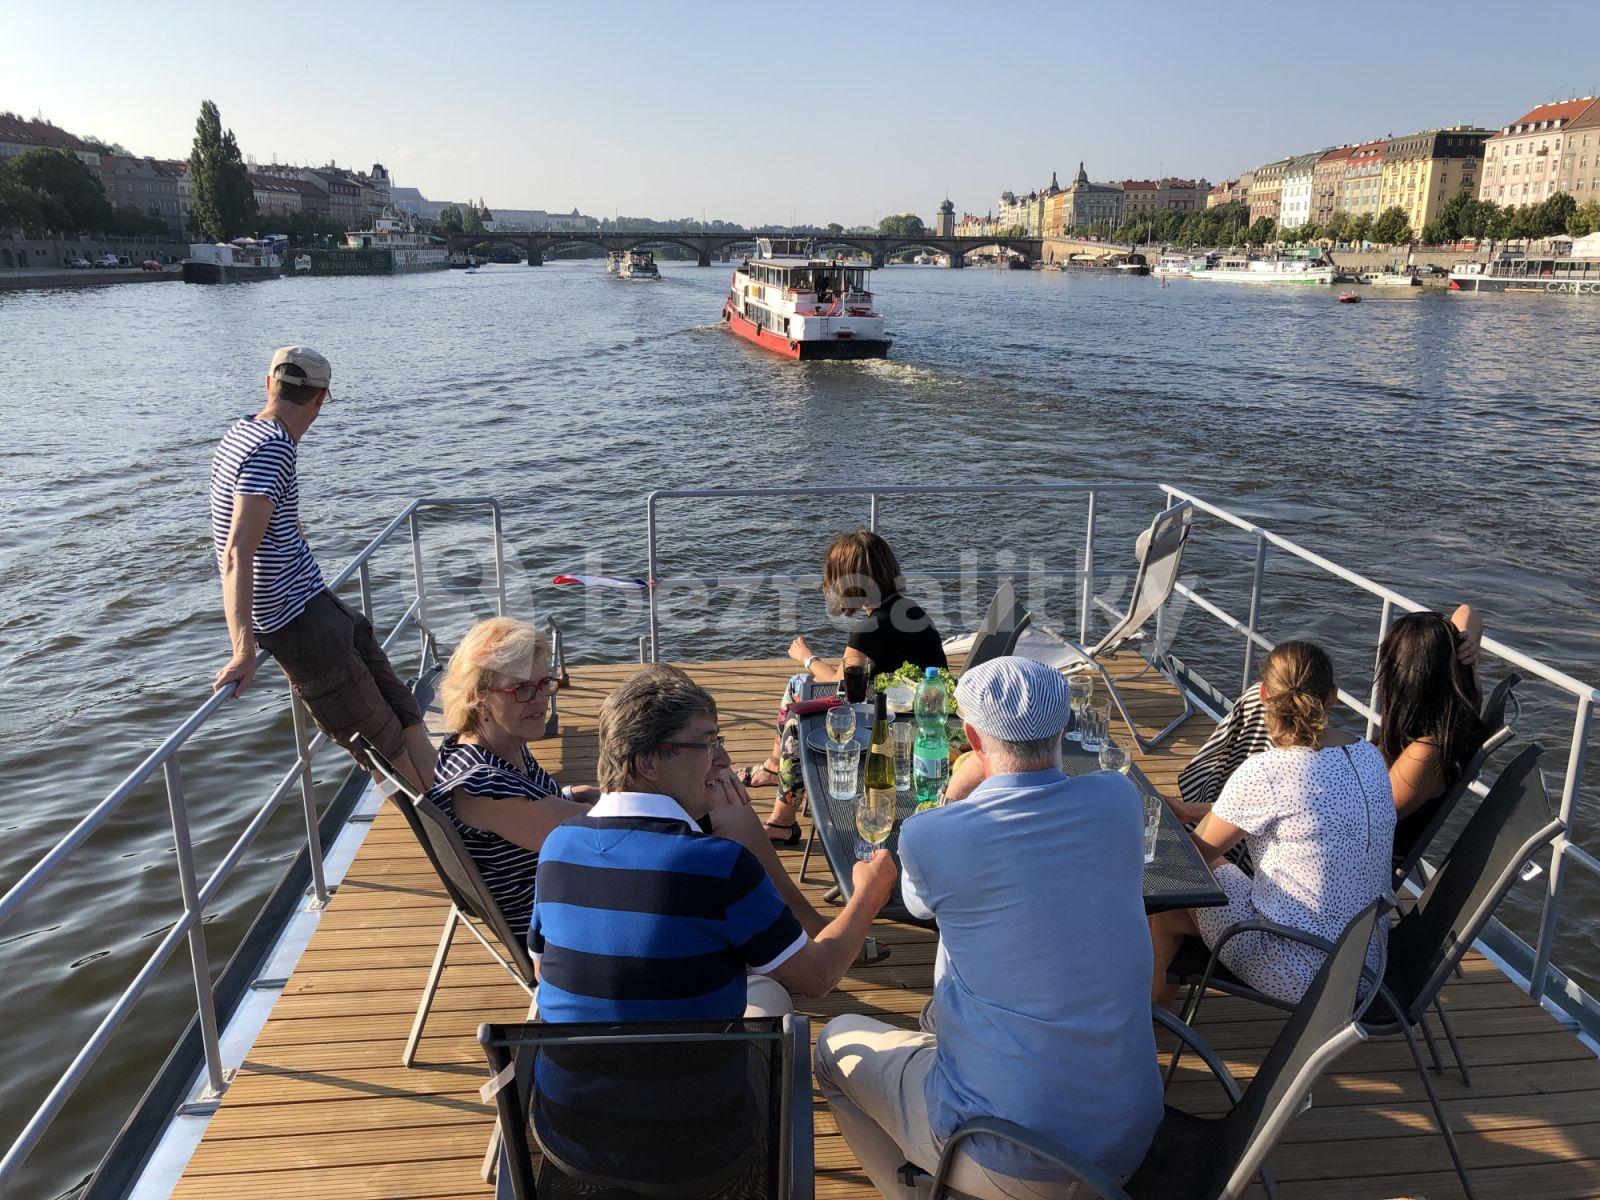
(644, 918)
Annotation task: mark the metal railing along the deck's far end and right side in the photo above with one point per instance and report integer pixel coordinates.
(1583, 697)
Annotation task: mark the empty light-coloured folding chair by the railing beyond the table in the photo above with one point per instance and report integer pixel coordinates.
(1159, 553)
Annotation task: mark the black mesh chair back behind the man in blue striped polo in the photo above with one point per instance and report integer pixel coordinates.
(718, 1110)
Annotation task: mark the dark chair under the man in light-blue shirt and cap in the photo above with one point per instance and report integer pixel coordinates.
(1214, 1158)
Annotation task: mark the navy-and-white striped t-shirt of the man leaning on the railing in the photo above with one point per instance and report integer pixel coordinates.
(257, 458)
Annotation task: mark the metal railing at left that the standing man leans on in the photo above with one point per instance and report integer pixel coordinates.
(166, 759)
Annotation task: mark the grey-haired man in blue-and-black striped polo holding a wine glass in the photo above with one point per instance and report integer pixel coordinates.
(641, 916)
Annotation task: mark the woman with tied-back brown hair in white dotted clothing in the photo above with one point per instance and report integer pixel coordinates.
(1319, 817)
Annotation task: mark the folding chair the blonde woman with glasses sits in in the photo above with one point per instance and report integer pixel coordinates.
(471, 905)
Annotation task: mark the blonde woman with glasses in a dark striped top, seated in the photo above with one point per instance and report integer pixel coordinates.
(497, 700)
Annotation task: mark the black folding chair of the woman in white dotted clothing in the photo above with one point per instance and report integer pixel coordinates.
(1431, 938)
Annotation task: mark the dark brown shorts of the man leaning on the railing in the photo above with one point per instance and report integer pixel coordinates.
(335, 665)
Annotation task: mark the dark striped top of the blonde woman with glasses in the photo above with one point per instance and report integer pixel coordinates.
(506, 868)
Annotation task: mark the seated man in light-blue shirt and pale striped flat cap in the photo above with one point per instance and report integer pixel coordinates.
(1041, 1009)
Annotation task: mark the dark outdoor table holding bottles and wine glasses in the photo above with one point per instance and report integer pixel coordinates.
(1175, 879)
